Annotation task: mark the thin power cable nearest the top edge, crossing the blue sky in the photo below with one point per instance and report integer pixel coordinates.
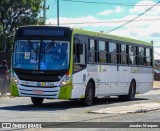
(113, 4)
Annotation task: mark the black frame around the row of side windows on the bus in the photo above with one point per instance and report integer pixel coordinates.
(96, 39)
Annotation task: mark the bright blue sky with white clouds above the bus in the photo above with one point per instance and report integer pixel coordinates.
(106, 15)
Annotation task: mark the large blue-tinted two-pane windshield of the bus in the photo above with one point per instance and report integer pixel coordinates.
(41, 55)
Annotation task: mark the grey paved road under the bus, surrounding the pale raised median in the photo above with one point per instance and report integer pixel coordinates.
(22, 110)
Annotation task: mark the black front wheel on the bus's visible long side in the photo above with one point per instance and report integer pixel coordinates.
(89, 95)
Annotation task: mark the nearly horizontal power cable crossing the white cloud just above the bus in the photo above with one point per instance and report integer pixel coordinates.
(107, 21)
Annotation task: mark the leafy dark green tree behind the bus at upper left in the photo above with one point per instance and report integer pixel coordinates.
(15, 13)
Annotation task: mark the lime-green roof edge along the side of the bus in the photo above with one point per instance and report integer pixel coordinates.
(112, 37)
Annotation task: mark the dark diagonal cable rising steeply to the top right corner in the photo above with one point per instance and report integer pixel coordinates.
(134, 18)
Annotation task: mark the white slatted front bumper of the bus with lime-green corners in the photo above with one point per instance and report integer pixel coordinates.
(43, 92)
